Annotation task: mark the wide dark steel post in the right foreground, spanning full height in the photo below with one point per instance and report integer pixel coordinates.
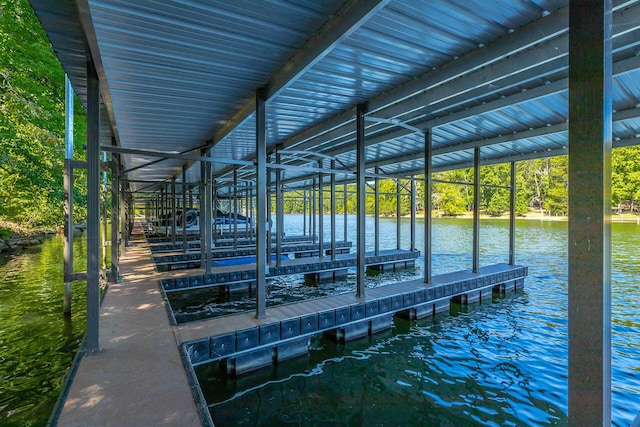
(590, 139)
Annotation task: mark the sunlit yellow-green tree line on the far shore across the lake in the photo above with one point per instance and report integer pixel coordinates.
(542, 186)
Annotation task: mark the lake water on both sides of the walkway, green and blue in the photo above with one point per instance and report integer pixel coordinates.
(502, 363)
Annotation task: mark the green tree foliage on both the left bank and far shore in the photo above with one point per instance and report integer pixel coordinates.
(32, 150)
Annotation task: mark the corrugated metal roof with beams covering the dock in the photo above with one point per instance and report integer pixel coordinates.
(489, 73)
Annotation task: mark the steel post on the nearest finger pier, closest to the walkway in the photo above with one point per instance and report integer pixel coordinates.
(262, 267)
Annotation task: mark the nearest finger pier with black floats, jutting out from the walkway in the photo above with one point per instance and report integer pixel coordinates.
(281, 337)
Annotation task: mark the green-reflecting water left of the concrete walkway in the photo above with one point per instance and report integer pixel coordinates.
(37, 342)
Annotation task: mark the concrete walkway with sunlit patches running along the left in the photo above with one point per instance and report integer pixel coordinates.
(138, 378)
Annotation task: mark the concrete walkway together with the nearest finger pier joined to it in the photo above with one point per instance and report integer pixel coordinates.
(143, 374)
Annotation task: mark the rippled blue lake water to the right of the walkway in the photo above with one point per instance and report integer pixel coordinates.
(503, 363)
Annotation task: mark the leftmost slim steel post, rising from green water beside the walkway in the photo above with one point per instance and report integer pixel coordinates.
(68, 197)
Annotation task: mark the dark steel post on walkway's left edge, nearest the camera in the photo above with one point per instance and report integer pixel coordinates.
(92, 341)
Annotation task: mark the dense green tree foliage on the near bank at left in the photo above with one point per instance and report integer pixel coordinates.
(31, 120)
